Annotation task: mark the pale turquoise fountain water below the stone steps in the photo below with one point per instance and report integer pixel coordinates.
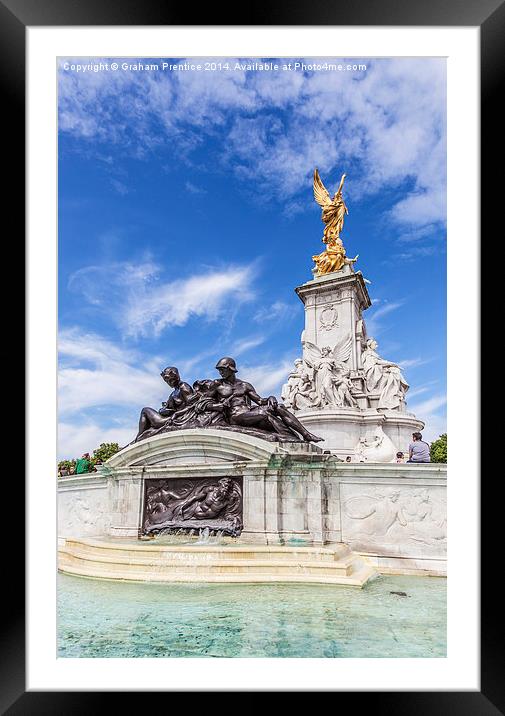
(113, 619)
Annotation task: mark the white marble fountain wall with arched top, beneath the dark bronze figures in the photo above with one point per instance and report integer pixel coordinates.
(291, 496)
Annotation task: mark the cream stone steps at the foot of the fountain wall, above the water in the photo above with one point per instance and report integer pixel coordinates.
(238, 564)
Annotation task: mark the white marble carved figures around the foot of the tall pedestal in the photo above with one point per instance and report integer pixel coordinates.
(323, 379)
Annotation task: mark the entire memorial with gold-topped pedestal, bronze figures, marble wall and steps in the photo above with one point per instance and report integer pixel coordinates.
(257, 487)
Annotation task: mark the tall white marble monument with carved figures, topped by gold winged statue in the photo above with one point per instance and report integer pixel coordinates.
(341, 388)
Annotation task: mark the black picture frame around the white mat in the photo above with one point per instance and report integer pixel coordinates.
(489, 15)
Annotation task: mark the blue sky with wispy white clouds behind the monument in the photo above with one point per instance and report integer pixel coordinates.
(186, 219)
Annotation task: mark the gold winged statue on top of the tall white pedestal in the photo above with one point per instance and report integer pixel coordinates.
(333, 257)
